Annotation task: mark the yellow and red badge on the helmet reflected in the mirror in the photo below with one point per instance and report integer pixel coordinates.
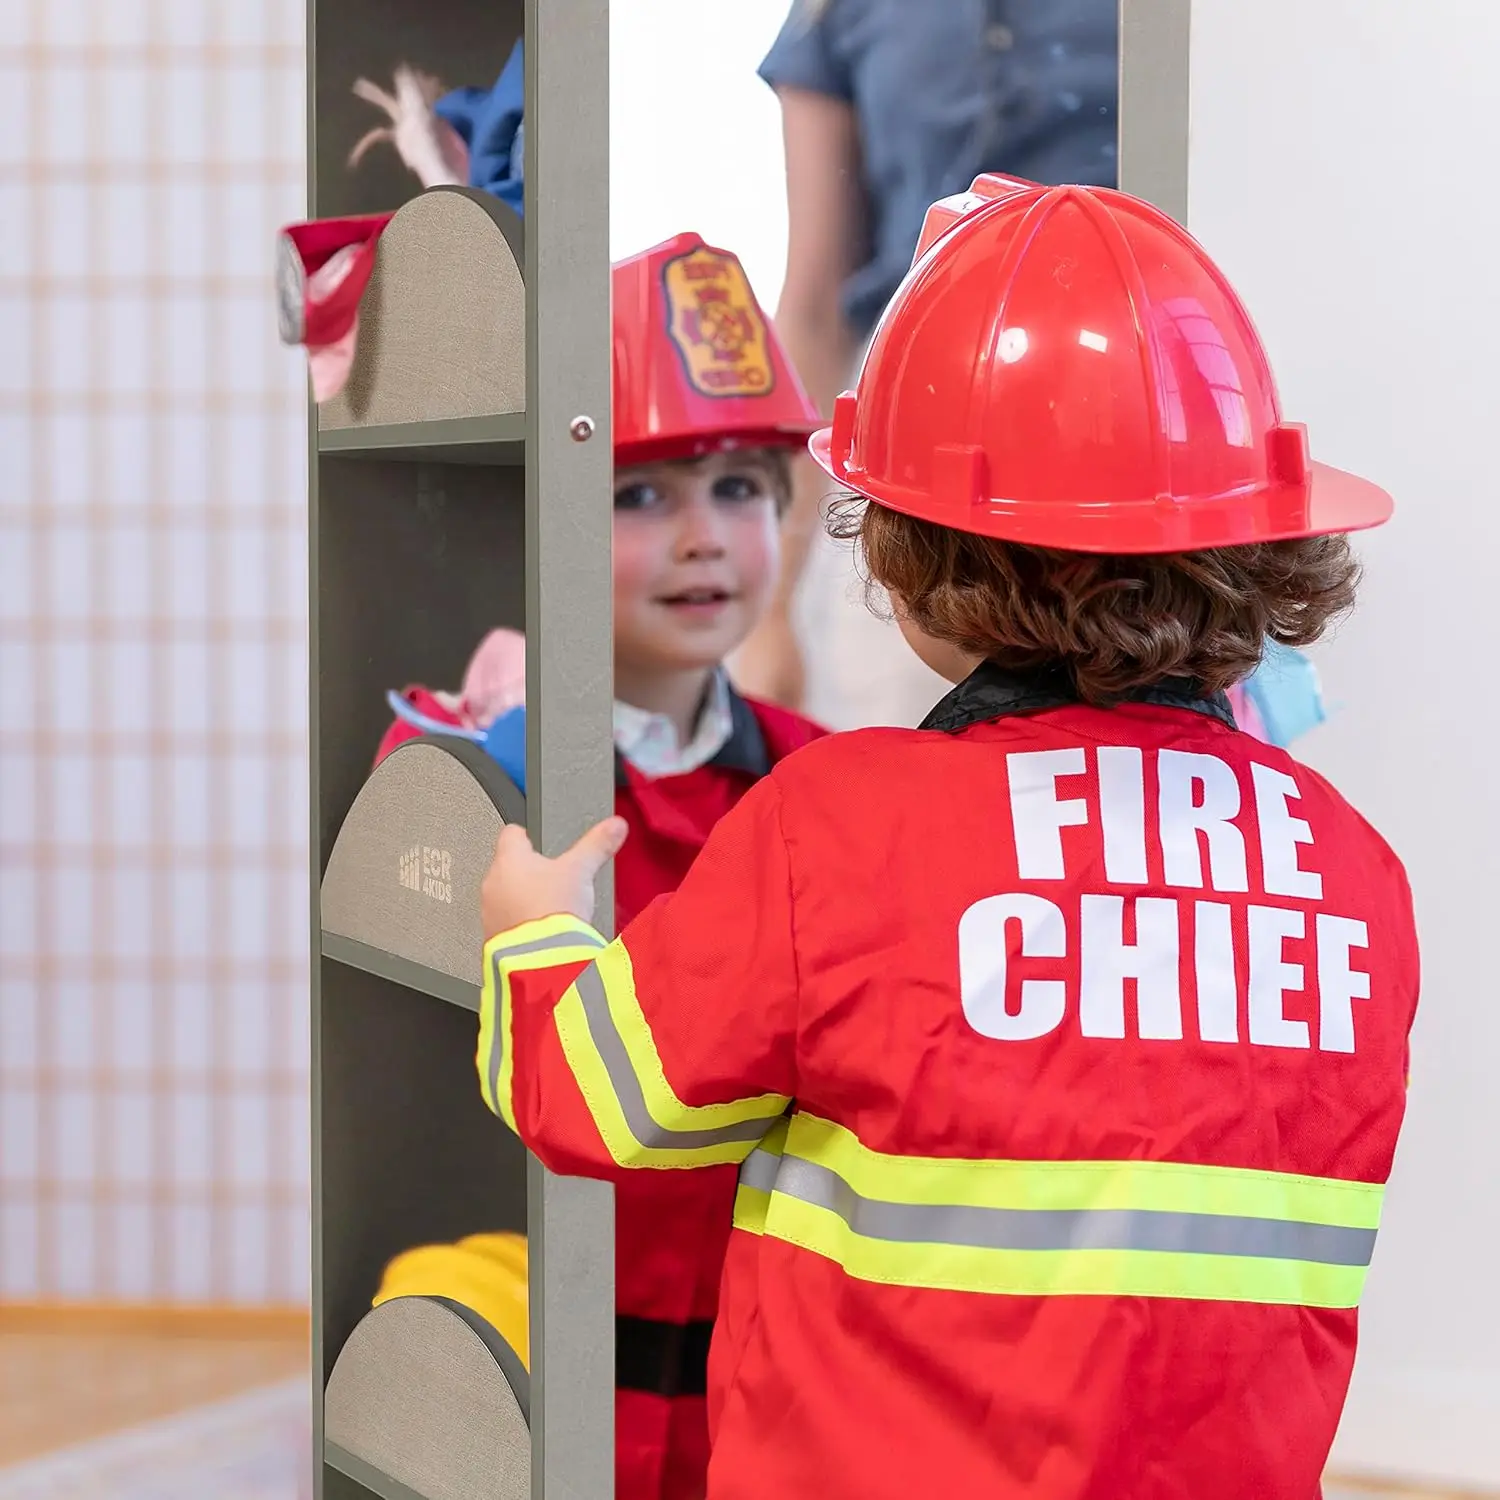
(718, 325)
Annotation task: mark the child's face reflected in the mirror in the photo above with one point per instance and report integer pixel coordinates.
(697, 557)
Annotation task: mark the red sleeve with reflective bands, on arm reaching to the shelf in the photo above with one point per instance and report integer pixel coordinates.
(673, 1046)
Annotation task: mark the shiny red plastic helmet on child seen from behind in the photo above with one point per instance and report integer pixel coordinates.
(1067, 368)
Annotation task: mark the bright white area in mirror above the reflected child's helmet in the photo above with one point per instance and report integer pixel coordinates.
(695, 136)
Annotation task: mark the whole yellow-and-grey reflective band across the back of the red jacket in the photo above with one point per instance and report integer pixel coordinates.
(1049, 1229)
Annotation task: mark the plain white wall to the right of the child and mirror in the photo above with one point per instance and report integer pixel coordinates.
(1343, 172)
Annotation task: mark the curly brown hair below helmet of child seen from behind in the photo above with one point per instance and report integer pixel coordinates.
(1118, 623)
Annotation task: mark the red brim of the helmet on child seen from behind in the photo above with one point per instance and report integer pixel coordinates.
(1327, 502)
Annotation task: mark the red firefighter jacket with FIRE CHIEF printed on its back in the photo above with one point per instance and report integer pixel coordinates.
(1064, 1055)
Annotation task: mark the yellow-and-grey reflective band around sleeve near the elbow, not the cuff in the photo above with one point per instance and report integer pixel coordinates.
(640, 1117)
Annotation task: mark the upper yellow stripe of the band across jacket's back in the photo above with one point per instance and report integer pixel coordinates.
(1162, 1187)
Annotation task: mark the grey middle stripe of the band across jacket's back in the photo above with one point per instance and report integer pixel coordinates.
(1073, 1229)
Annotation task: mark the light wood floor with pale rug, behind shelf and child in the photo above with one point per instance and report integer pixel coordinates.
(137, 1414)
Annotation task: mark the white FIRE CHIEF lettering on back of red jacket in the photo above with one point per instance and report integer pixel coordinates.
(1144, 964)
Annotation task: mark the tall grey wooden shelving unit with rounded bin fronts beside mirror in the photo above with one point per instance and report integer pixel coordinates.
(451, 494)
